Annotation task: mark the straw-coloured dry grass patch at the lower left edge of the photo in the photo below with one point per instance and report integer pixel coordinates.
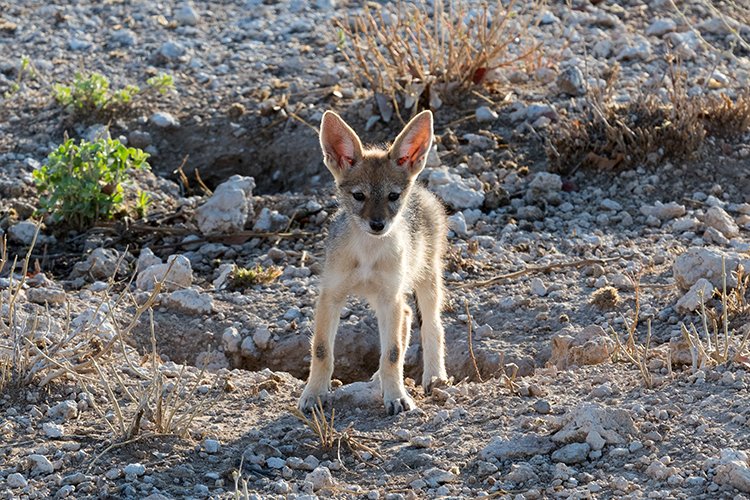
(133, 399)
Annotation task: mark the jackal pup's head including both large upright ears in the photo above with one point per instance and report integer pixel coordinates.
(374, 184)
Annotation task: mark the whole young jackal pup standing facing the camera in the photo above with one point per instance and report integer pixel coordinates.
(386, 241)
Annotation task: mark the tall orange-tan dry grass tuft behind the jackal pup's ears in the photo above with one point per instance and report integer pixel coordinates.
(420, 54)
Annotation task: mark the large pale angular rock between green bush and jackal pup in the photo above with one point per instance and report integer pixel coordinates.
(227, 210)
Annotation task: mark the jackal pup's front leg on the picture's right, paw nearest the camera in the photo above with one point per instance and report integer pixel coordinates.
(392, 316)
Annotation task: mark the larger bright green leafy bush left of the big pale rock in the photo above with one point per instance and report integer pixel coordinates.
(83, 183)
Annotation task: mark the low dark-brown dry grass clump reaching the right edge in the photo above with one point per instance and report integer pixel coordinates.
(650, 128)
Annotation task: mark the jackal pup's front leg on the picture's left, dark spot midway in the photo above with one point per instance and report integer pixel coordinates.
(321, 363)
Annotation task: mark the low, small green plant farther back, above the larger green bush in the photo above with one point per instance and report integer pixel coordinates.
(94, 95)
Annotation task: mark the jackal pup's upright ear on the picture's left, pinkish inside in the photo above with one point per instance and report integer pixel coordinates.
(341, 146)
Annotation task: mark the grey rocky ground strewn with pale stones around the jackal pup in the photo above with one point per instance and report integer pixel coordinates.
(554, 406)
